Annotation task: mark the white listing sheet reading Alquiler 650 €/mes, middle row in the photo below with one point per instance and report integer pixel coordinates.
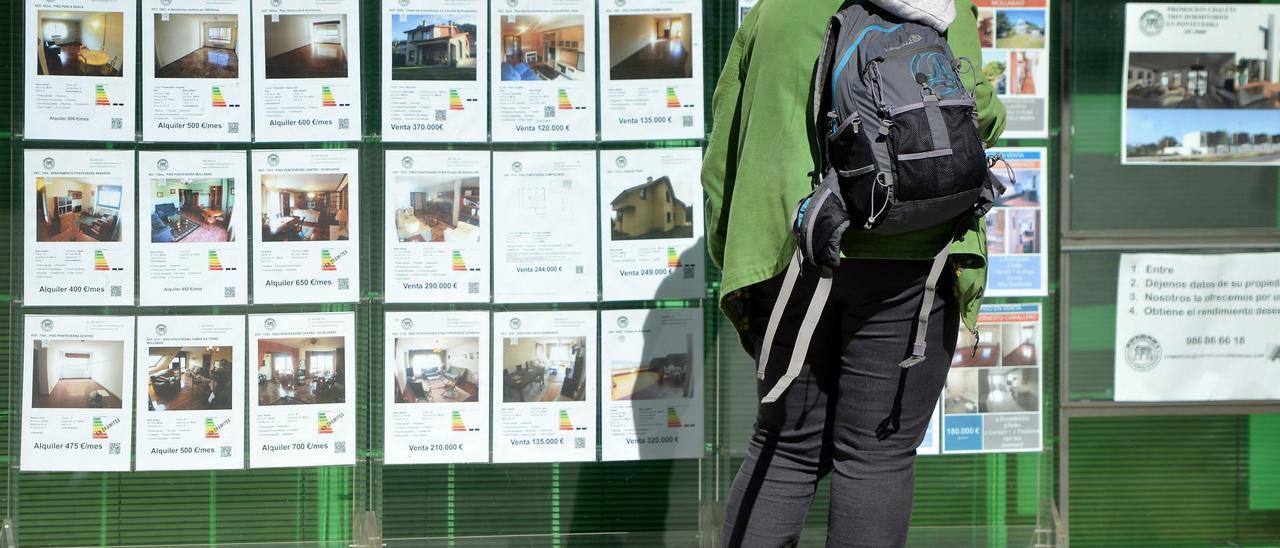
(307, 226)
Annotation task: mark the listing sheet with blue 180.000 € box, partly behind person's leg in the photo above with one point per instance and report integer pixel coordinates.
(994, 396)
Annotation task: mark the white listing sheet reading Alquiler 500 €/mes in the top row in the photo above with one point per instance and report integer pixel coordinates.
(196, 79)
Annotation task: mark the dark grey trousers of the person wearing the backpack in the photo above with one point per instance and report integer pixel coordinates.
(853, 412)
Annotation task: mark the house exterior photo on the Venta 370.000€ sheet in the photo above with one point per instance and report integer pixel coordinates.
(435, 48)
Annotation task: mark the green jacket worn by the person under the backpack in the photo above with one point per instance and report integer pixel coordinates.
(758, 157)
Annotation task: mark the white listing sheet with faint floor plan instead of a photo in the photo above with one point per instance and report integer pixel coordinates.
(545, 226)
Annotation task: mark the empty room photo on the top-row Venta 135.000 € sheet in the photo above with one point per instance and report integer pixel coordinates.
(651, 47)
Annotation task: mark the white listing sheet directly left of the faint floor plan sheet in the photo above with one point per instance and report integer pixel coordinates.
(437, 226)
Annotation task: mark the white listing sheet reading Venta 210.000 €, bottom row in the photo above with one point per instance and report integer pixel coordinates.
(437, 389)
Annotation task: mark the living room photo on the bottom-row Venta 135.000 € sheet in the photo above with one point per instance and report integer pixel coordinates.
(545, 369)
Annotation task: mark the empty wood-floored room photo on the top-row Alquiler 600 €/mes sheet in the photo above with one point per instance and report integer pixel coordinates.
(305, 47)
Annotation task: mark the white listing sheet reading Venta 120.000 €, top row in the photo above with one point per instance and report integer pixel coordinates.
(543, 70)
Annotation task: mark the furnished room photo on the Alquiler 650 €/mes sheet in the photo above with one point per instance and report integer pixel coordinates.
(305, 208)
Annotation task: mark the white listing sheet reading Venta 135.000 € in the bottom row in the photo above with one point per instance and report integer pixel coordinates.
(545, 387)
